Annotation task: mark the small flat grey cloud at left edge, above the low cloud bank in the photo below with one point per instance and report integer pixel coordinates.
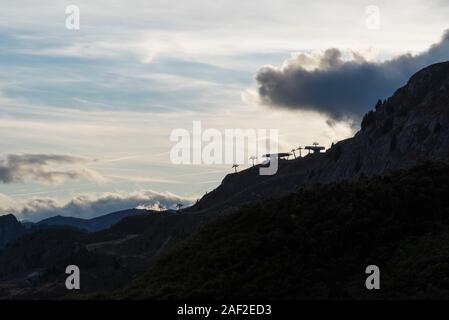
(42, 168)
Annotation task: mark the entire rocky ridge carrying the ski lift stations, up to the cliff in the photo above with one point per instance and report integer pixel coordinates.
(410, 127)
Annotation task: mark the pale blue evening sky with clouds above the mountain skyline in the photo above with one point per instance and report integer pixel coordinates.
(86, 115)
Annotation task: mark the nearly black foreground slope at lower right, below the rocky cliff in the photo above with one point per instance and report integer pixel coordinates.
(315, 243)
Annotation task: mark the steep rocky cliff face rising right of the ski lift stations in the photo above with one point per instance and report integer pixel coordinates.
(409, 127)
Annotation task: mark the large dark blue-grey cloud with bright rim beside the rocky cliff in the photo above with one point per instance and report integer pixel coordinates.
(340, 88)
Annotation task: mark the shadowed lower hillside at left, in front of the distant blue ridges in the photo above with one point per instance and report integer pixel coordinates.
(34, 266)
